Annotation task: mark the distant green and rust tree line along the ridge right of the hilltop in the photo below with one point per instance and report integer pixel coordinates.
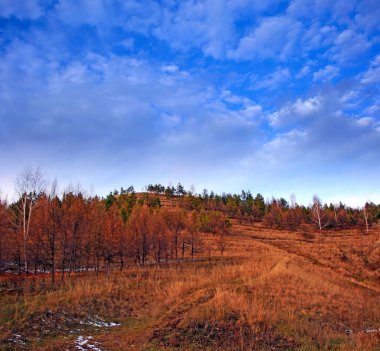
(279, 213)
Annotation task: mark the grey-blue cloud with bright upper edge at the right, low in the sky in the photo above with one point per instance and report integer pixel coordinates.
(328, 133)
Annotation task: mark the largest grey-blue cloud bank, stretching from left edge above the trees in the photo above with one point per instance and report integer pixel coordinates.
(117, 111)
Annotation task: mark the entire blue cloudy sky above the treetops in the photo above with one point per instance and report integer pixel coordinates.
(276, 97)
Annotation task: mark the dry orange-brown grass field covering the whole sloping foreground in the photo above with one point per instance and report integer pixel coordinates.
(271, 290)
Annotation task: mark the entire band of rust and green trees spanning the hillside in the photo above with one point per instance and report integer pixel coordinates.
(61, 233)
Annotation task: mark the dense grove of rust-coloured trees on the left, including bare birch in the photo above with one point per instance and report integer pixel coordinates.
(44, 231)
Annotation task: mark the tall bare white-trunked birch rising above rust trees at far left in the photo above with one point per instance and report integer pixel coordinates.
(30, 184)
